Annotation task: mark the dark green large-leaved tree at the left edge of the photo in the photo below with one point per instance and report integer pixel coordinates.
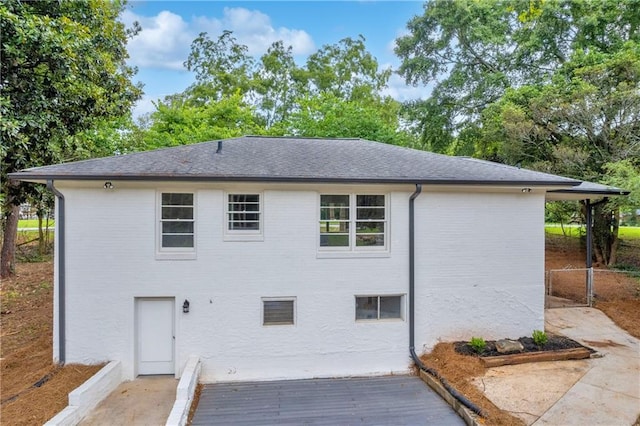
(63, 68)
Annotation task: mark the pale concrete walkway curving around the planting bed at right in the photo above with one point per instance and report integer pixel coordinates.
(597, 391)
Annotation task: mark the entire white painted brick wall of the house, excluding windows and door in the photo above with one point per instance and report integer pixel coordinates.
(476, 253)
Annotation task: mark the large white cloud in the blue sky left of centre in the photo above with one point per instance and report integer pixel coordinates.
(165, 39)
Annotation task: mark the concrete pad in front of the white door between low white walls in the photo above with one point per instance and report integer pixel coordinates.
(140, 402)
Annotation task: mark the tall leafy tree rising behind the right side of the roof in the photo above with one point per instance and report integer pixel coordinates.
(471, 52)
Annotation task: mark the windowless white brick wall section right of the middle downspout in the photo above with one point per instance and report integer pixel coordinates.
(480, 266)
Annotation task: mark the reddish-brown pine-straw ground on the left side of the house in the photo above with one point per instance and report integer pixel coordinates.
(33, 388)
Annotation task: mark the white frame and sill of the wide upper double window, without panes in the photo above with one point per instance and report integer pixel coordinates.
(352, 248)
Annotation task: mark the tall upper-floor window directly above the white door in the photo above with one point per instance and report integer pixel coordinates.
(177, 223)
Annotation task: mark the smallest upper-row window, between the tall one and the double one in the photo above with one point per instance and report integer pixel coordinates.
(243, 216)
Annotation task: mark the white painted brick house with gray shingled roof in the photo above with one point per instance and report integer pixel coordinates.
(293, 255)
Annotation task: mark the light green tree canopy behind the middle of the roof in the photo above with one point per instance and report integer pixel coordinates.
(335, 93)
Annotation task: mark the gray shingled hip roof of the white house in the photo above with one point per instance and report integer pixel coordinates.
(280, 159)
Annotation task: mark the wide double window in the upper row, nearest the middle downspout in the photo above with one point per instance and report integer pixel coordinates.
(355, 222)
